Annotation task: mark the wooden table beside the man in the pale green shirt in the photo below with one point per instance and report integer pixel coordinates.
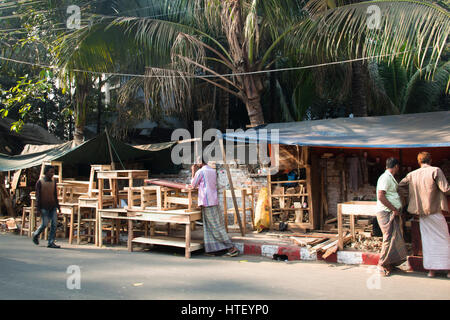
(352, 209)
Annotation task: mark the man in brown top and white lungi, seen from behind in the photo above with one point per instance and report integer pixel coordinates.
(427, 187)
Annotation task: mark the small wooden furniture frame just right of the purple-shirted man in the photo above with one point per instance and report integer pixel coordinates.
(246, 195)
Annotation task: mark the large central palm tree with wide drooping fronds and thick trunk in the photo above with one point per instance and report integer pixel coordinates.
(182, 42)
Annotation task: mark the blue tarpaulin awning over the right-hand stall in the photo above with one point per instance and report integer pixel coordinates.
(430, 129)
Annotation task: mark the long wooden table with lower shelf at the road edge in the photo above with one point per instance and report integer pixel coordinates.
(172, 216)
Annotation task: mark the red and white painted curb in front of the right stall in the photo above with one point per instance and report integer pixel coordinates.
(301, 253)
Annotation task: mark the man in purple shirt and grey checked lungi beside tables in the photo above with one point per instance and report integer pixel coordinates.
(216, 237)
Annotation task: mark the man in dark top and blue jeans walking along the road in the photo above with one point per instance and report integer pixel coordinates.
(47, 204)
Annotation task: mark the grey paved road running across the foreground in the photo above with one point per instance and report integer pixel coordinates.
(30, 272)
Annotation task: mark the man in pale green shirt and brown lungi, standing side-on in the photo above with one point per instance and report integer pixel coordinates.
(393, 250)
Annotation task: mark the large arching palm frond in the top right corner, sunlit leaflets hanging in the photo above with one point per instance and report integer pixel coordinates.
(405, 28)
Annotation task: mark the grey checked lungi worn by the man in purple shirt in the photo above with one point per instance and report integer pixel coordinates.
(216, 237)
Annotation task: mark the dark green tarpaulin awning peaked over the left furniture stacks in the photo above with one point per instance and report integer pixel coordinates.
(94, 151)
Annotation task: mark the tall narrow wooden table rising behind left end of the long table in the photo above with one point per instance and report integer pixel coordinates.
(114, 176)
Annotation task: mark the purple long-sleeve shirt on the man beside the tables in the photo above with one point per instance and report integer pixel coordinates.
(206, 181)
